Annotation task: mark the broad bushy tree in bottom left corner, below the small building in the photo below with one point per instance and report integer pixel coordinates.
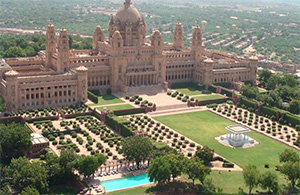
(24, 173)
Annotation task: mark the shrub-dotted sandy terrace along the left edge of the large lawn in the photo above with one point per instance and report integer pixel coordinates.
(158, 132)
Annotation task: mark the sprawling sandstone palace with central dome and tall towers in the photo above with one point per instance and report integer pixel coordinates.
(124, 62)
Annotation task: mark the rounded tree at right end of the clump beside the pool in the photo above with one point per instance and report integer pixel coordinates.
(195, 169)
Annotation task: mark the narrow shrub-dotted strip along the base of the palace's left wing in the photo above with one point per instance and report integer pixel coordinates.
(34, 114)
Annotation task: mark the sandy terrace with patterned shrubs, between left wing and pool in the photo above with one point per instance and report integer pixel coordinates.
(92, 138)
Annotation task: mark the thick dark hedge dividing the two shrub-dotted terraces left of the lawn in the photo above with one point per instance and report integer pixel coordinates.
(116, 123)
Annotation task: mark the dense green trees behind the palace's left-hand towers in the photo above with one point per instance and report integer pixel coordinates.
(29, 45)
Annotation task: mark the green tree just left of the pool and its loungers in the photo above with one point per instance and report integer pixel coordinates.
(87, 165)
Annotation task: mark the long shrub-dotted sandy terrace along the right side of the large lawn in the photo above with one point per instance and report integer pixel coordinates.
(261, 124)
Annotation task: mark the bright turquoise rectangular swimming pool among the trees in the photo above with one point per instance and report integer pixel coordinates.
(126, 182)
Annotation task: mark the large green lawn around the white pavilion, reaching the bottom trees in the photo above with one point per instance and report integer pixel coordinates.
(204, 126)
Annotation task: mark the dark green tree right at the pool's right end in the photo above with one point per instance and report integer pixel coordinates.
(159, 170)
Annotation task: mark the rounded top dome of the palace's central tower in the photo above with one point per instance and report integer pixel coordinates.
(128, 13)
